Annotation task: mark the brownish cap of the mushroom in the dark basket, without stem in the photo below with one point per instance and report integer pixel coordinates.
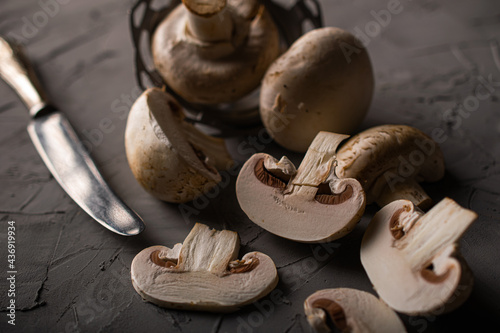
(212, 73)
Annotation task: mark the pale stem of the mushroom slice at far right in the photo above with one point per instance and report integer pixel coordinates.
(434, 232)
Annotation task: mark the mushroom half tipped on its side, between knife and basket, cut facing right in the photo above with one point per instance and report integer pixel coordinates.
(169, 157)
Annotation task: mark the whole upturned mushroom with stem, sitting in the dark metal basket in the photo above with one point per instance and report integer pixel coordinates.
(215, 51)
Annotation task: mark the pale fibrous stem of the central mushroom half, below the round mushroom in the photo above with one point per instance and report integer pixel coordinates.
(318, 163)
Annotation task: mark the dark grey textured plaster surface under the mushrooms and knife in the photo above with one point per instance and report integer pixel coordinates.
(73, 275)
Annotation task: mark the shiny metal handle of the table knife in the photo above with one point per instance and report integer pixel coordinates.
(16, 70)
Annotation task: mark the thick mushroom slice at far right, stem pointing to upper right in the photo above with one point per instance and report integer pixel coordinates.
(412, 259)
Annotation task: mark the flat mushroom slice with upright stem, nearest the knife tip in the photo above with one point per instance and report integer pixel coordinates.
(203, 273)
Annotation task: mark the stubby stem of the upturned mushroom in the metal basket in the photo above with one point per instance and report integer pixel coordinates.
(208, 20)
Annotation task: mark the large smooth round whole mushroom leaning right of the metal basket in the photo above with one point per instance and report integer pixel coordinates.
(317, 85)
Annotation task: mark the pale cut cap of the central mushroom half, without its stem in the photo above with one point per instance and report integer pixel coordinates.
(301, 217)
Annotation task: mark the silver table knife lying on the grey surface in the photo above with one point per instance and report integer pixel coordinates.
(62, 151)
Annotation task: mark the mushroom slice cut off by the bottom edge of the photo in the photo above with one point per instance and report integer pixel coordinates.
(350, 310)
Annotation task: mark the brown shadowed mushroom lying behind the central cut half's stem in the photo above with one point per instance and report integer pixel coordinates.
(389, 161)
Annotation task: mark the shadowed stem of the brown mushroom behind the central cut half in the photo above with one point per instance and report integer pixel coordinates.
(408, 190)
